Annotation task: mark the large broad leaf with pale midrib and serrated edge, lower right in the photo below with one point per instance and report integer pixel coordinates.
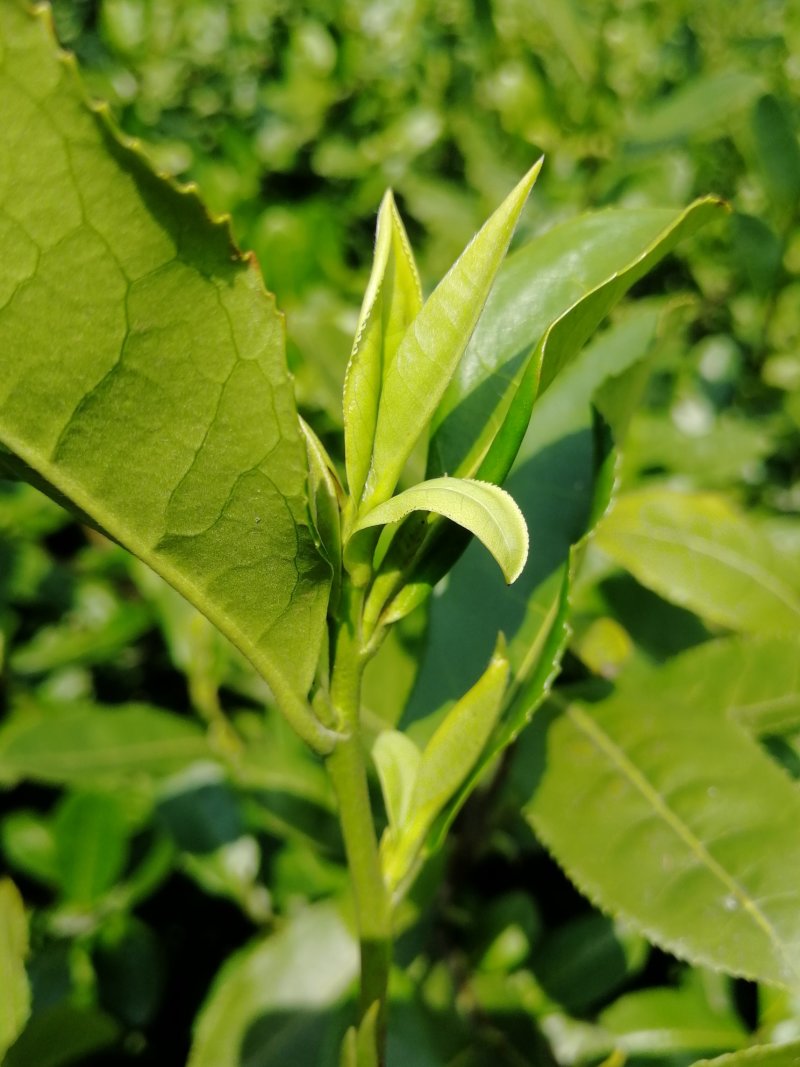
(663, 809)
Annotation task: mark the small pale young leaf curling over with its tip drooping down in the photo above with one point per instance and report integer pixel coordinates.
(486, 511)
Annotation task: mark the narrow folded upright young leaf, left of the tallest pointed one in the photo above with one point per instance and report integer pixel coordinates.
(393, 299)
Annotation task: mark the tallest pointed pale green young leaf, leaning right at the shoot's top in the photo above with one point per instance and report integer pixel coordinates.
(434, 345)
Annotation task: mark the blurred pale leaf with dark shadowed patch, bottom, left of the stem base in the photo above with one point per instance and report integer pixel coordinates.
(273, 1002)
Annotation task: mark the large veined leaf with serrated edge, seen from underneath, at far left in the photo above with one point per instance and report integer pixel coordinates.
(143, 373)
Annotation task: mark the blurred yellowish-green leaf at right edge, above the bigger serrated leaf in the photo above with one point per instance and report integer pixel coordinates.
(699, 551)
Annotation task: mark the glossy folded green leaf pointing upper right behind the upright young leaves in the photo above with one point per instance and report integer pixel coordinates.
(549, 299)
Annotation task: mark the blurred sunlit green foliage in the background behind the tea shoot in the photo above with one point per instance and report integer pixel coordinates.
(143, 875)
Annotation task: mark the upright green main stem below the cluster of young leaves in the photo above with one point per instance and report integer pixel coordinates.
(347, 769)
